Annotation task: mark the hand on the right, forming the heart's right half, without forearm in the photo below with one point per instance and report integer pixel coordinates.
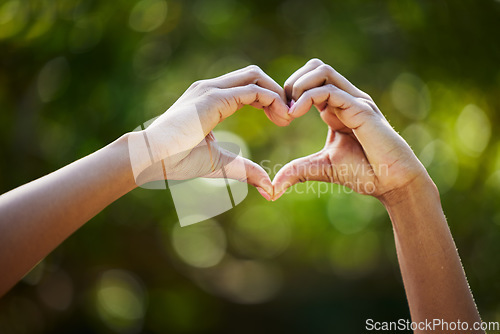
(362, 150)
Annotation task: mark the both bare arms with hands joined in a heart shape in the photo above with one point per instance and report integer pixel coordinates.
(36, 217)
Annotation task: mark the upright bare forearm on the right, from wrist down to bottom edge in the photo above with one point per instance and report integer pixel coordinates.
(434, 279)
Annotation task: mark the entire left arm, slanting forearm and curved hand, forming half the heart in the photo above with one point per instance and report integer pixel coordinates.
(36, 217)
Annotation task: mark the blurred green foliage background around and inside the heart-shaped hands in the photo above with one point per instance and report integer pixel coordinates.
(76, 74)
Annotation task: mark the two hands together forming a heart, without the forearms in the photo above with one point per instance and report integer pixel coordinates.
(362, 150)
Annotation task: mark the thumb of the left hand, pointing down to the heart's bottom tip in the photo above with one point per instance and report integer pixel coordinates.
(236, 167)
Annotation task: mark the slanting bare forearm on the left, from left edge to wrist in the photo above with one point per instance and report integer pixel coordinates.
(36, 217)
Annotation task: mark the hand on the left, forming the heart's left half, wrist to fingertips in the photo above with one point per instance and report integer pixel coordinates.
(181, 144)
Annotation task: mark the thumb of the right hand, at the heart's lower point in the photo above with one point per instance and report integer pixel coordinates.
(310, 168)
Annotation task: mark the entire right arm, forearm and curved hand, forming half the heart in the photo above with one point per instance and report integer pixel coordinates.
(365, 153)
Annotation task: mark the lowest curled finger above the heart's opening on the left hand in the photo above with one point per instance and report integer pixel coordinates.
(274, 107)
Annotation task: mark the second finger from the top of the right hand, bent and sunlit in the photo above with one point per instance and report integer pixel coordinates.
(322, 75)
